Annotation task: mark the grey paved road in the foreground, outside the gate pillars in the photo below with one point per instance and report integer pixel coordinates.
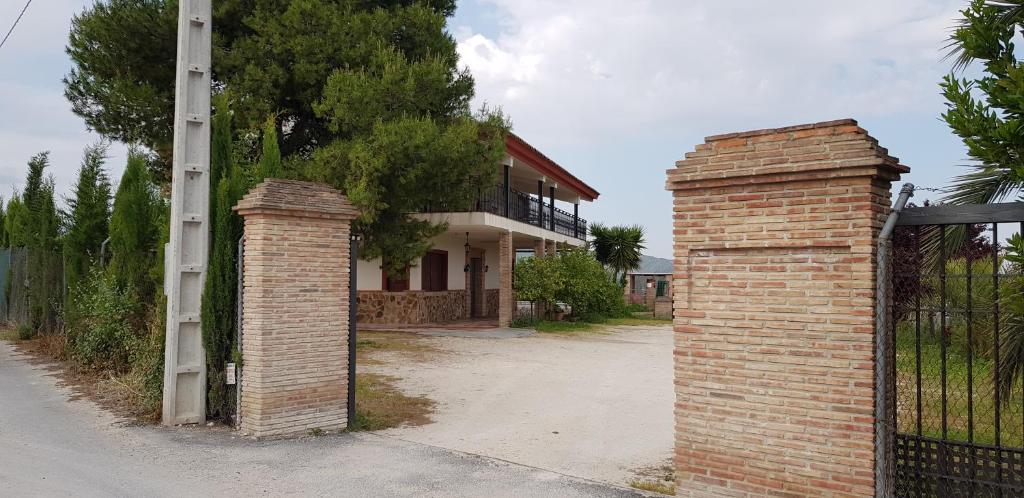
(53, 447)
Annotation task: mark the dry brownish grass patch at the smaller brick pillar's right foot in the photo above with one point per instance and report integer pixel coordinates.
(379, 405)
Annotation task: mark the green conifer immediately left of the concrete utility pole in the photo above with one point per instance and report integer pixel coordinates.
(134, 229)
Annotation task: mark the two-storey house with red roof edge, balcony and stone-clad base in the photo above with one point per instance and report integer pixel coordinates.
(467, 273)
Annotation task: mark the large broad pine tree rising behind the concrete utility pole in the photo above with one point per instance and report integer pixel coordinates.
(367, 96)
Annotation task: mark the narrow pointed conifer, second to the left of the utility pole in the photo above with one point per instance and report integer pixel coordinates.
(88, 220)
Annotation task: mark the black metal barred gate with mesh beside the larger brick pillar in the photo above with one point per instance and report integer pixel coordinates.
(958, 353)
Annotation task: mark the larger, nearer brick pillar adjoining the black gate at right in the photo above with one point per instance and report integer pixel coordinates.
(774, 287)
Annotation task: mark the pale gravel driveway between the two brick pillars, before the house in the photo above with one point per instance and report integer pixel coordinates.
(598, 406)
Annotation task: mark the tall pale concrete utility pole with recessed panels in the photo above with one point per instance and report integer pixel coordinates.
(186, 260)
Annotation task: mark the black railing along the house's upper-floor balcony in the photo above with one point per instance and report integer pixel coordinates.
(523, 207)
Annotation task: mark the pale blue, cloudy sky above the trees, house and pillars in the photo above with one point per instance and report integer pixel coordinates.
(614, 92)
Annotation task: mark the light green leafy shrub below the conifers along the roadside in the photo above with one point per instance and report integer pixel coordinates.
(100, 323)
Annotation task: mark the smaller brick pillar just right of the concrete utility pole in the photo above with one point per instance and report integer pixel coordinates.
(295, 309)
